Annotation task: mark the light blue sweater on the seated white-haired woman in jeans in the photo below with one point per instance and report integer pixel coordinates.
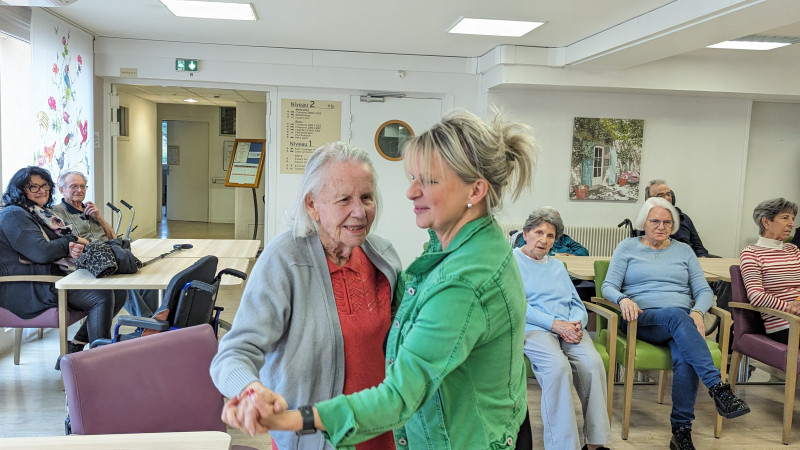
(670, 277)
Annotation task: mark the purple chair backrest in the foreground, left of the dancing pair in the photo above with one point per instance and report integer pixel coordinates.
(153, 384)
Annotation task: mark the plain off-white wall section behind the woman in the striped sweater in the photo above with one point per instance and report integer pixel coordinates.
(773, 160)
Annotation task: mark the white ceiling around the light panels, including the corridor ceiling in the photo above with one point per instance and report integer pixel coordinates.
(619, 33)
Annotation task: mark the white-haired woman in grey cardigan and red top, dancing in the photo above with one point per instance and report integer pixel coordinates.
(318, 303)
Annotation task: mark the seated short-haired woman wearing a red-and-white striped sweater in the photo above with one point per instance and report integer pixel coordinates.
(770, 268)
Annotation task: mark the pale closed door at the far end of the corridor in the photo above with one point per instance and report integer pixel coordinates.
(187, 181)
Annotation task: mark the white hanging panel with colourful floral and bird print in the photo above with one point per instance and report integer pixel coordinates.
(63, 99)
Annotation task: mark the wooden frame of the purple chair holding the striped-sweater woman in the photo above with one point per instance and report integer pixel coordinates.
(791, 362)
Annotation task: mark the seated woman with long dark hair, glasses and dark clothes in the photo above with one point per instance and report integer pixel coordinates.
(35, 241)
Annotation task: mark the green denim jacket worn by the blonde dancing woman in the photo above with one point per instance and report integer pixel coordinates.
(455, 376)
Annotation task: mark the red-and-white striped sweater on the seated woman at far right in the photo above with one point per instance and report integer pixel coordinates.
(771, 273)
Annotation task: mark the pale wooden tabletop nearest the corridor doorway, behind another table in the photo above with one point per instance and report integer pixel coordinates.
(146, 249)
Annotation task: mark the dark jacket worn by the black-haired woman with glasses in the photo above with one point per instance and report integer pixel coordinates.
(25, 251)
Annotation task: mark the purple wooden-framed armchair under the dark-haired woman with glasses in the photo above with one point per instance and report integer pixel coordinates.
(57, 317)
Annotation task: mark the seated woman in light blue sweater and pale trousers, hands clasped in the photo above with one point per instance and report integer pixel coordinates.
(561, 352)
